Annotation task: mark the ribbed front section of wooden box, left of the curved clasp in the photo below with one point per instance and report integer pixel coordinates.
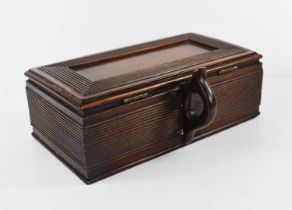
(131, 136)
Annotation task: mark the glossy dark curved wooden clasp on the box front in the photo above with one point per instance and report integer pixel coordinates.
(193, 122)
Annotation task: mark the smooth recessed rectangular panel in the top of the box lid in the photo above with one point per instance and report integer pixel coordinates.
(142, 60)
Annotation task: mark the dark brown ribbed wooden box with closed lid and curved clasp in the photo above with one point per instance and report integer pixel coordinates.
(104, 113)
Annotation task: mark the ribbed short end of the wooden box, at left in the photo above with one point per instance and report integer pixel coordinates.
(63, 132)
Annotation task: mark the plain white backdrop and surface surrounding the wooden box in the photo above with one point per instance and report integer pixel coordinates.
(246, 167)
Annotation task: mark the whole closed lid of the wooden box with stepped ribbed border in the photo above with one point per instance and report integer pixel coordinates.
(85, 81)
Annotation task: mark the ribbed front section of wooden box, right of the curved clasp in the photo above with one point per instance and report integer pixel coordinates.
(238, 96)
